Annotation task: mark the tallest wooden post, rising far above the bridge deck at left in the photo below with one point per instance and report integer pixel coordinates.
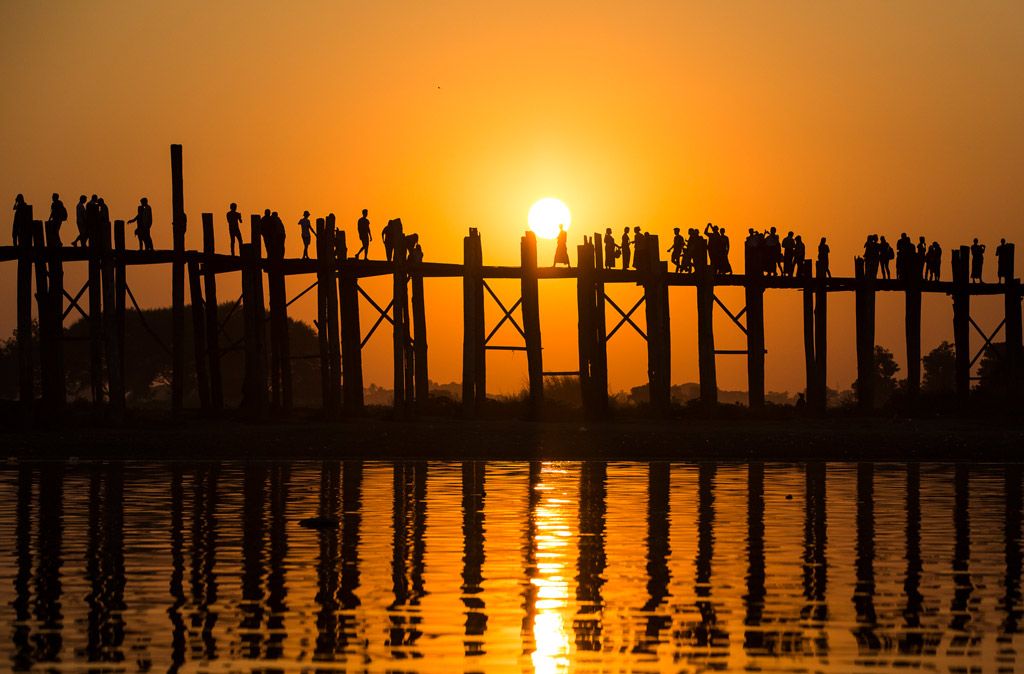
(178, 282)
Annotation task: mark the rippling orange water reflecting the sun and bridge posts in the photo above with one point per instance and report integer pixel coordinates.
(510, 567)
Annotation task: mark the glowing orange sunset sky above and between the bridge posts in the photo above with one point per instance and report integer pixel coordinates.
(826, 118)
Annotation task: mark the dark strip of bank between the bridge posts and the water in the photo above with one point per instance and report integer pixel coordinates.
(442, 439)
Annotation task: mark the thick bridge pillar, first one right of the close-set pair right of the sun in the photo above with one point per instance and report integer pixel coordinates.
(659, 335)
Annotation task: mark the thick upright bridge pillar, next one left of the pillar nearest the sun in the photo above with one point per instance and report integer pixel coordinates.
(474, 354)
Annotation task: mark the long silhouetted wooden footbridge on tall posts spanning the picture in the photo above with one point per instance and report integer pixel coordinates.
(269, 381)
